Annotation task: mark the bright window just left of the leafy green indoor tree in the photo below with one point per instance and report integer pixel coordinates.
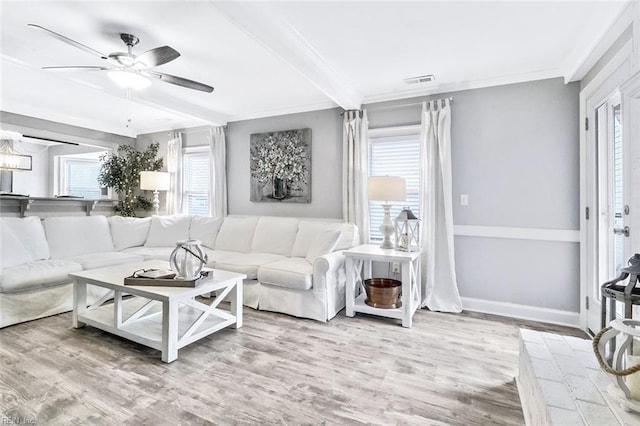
(78, 175)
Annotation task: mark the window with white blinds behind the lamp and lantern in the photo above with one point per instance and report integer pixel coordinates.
(394, 152)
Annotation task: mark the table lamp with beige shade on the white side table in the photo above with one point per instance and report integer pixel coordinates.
(385, 189)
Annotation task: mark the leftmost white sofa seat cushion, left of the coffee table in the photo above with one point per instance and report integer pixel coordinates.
(40, 273)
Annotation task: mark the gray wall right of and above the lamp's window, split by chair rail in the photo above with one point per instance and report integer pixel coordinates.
(515, 151)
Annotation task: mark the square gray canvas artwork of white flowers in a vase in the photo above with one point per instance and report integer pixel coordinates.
(281, 166)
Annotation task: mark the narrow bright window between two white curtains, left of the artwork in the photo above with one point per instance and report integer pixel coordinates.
(196, 180)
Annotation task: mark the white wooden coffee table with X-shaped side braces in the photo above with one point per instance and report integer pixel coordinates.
(163, 318)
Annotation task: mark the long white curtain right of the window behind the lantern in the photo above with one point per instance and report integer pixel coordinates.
(439, 284)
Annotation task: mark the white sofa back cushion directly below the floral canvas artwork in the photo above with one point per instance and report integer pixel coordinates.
(275, 235)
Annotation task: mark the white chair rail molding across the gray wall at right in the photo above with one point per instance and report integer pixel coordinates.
(537, 234)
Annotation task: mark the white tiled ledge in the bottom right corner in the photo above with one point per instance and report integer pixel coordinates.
(561, 383)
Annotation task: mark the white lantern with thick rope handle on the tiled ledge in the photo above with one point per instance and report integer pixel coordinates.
(623, 336)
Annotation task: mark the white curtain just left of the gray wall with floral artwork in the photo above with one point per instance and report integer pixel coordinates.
(218, 183)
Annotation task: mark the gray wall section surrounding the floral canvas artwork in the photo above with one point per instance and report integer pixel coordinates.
(326, 164)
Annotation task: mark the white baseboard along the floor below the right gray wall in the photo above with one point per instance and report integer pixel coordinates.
(534, 313)
